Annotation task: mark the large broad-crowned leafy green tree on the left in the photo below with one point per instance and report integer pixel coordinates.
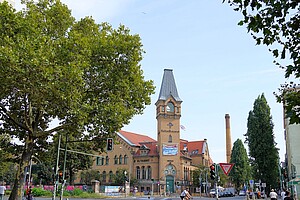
(84, 75)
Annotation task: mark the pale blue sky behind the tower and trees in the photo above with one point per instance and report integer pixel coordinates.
(218, 69)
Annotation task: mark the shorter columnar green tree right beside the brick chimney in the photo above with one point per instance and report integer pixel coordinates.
(240, 173)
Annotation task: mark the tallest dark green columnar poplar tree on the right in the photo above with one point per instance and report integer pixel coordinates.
(263, 153)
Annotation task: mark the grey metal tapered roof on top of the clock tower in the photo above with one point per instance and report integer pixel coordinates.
(168, 87)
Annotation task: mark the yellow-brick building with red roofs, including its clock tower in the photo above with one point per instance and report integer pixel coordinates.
(164, 165)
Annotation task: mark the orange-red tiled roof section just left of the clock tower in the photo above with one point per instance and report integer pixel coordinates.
(134, 138)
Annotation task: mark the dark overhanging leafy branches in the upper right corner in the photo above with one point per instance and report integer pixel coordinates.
(276, 22)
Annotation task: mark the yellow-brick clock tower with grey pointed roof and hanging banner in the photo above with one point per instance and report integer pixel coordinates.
(168, 113)
